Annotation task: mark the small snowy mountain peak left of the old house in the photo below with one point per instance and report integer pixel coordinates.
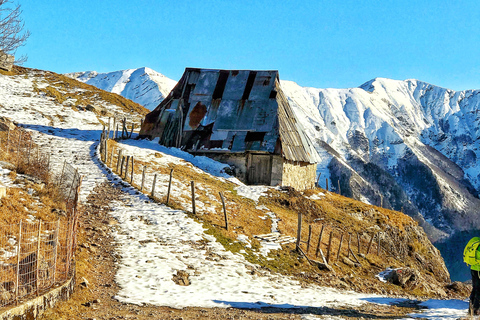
(143, 85)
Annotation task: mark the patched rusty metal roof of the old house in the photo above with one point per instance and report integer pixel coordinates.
(230, 111)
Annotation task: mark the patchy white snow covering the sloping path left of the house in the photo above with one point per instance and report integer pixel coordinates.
(155, 242)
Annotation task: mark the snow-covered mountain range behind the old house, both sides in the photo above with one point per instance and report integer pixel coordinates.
(405, 145)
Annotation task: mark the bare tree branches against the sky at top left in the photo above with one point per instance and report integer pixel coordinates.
(12, 33)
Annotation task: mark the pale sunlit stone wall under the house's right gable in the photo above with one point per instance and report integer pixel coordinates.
(300, 175)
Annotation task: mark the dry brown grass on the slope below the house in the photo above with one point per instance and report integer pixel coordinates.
(336, 213)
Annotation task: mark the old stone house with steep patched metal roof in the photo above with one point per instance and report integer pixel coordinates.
(238, 117)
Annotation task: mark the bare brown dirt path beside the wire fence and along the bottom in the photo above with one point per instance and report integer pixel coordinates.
(96, 288)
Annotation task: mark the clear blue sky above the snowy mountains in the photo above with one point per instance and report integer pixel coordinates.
(323, 44)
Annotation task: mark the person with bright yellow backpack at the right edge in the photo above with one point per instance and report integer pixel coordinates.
(471, 256)
